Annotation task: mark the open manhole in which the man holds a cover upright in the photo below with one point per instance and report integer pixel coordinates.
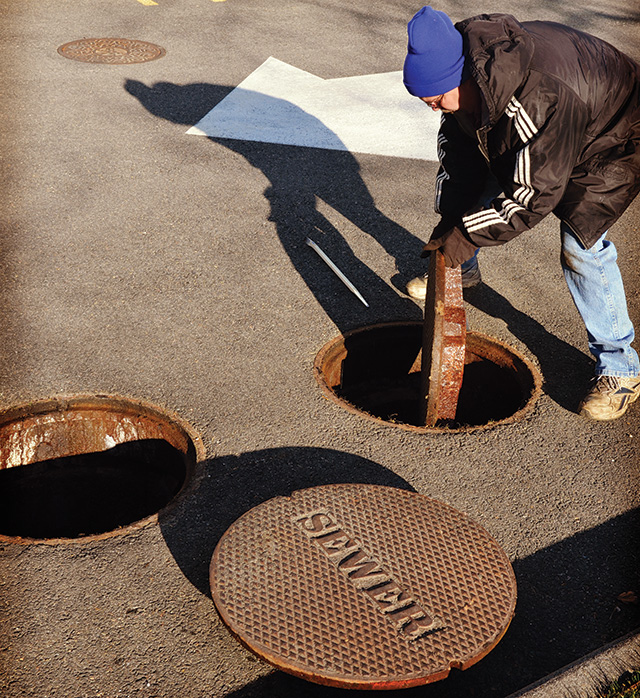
(375, 371)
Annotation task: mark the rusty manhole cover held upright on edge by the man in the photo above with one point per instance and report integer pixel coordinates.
(443, 343)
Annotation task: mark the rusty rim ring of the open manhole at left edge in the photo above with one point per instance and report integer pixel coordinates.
(107, 401)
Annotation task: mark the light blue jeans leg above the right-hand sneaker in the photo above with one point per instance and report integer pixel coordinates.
(595, 283)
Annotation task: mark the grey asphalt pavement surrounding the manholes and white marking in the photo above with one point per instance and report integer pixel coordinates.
(142, 261)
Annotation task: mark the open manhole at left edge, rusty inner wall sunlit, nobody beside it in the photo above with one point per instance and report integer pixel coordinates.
(89, 465)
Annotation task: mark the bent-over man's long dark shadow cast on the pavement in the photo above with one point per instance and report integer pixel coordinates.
(298, 177)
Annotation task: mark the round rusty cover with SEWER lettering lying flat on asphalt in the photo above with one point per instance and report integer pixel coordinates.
(363, 586)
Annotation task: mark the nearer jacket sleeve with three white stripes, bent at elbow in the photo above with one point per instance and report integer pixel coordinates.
(541, 147)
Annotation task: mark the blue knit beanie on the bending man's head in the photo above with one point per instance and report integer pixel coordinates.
(434, 60)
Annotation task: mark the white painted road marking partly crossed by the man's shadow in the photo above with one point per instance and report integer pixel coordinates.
(279, 103)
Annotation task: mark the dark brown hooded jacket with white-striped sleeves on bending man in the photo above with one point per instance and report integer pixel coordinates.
(560, 131)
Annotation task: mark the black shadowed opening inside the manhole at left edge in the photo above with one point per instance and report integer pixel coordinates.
(90, 493)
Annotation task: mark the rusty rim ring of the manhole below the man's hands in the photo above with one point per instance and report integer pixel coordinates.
(517, 416)
